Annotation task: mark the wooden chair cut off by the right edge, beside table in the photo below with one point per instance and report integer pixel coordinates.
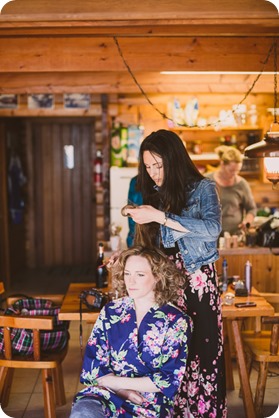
(262, 347)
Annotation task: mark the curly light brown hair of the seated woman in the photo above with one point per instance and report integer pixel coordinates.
(169, 278)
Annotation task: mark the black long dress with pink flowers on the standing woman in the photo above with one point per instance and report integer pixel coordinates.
(202, 393)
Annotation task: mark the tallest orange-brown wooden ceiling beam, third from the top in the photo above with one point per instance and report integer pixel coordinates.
(83, 53)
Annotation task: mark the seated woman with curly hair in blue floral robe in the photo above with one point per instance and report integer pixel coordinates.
(136, 355)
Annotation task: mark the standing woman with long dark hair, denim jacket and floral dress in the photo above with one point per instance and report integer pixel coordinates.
(181, 214)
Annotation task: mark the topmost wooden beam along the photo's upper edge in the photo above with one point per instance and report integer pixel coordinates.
(121, 9)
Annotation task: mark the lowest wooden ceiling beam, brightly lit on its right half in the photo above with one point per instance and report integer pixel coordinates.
(121, 83)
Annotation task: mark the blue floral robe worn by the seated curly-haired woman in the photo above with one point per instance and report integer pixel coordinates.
(158, 348)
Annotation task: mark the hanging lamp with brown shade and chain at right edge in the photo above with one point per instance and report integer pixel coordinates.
(268, 148)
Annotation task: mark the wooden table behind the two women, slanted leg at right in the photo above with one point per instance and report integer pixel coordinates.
(70, 312)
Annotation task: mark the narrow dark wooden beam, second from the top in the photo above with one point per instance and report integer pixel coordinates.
(139, 28)
